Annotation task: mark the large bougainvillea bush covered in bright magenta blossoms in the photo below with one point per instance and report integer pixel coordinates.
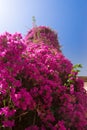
(39, 89)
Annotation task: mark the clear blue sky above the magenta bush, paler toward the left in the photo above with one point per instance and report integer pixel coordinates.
(67, 17)
